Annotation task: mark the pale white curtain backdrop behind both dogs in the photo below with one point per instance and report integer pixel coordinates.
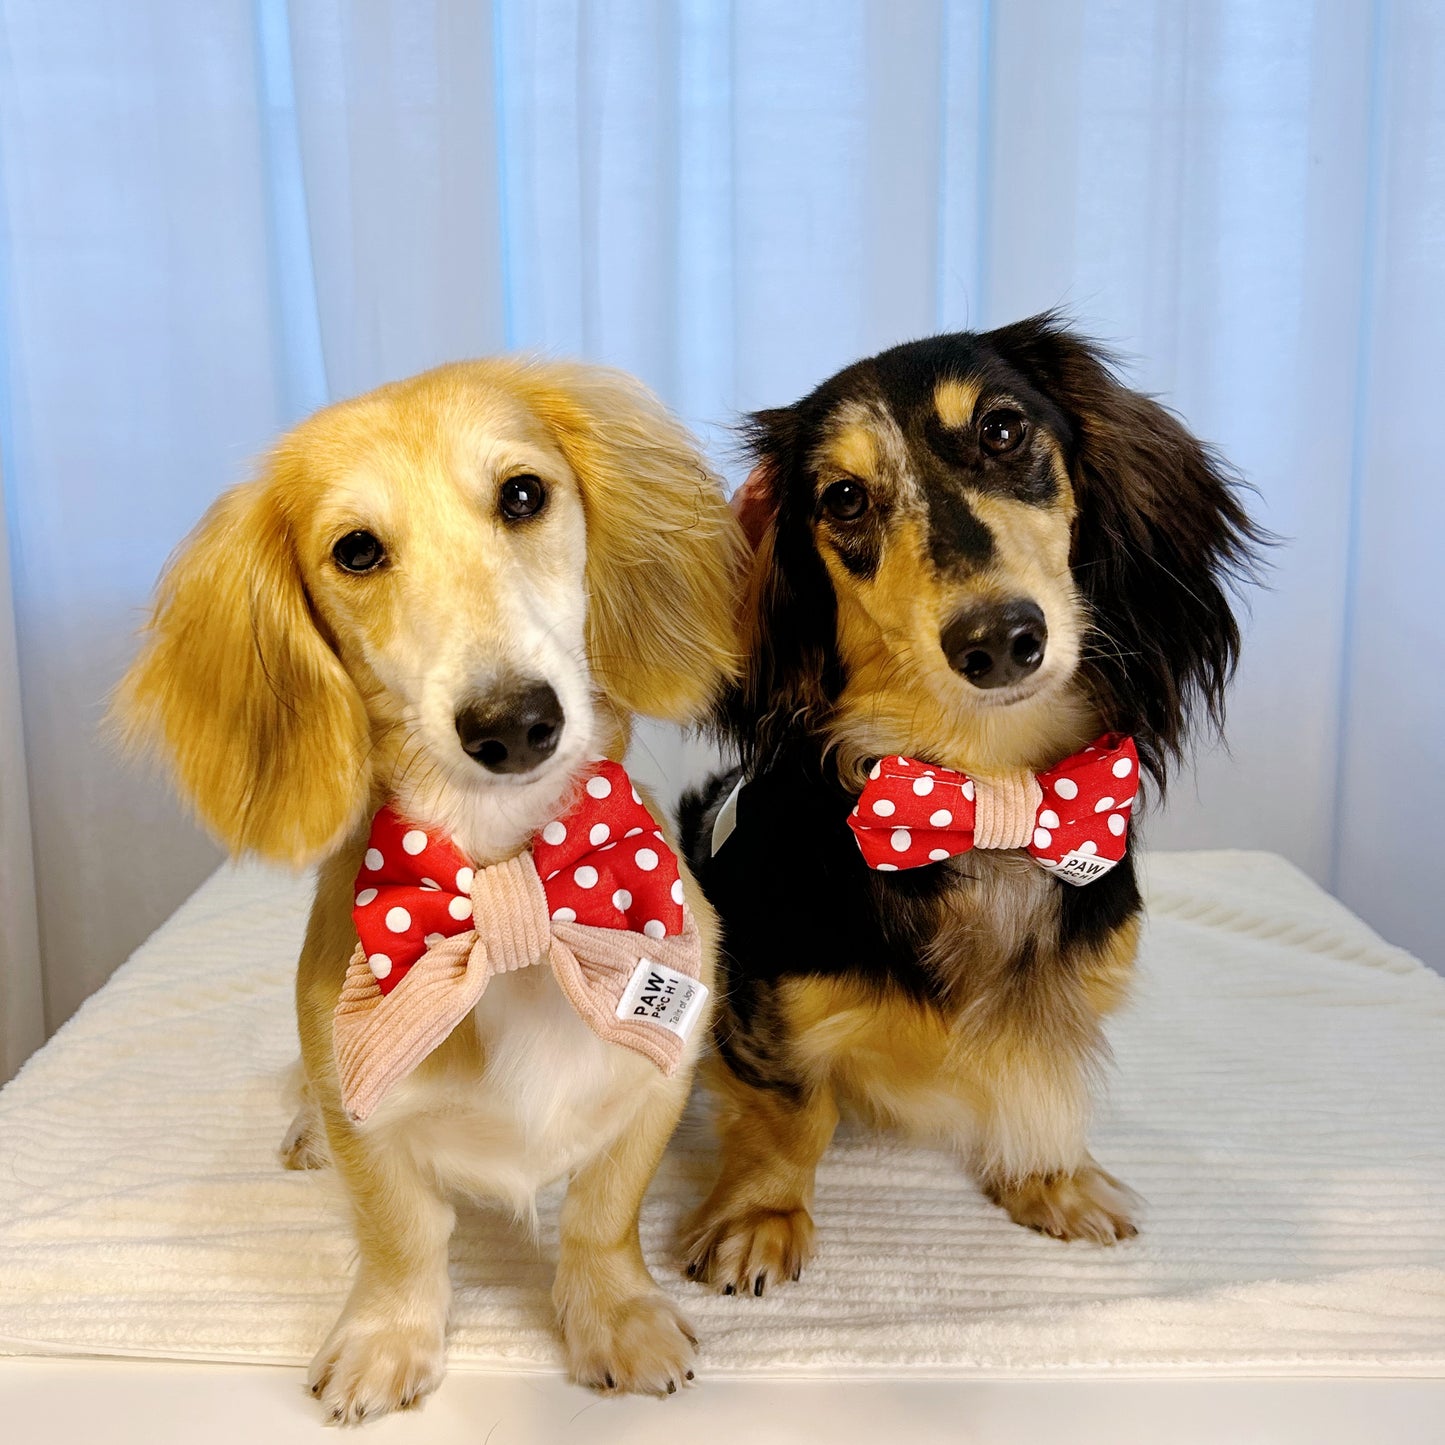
(215, 217)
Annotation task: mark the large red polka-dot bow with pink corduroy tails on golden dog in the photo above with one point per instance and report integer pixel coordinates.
(598, 897)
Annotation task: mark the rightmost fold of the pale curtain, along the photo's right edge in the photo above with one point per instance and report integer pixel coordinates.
(1392, 758)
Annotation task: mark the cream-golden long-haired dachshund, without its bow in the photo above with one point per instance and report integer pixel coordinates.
(452, 596)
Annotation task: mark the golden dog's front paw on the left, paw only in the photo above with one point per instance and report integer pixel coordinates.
(369, 1369)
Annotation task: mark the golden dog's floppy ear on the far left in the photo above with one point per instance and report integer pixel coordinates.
(238, 691)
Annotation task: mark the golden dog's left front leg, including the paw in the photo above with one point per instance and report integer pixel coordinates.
(388, 1349)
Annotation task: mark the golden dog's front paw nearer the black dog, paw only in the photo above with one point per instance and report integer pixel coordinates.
(639, 1346)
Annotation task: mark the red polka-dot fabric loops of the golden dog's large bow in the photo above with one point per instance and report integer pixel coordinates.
(589, 878)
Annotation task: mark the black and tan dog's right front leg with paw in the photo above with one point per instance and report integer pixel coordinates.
(1032, 1155)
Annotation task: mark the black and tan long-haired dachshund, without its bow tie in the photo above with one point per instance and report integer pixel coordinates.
(962, 1002)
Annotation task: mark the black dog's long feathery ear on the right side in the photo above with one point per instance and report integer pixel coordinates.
(1161, 541)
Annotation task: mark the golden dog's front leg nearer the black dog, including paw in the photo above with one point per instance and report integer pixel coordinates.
(622, 1333)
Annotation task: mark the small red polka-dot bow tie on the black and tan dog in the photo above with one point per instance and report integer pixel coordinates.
(1071, 819)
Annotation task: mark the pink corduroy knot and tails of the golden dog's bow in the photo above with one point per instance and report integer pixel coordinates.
(382, 1038)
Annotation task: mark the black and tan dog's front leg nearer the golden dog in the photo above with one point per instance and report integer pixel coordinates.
(756, 1228)
